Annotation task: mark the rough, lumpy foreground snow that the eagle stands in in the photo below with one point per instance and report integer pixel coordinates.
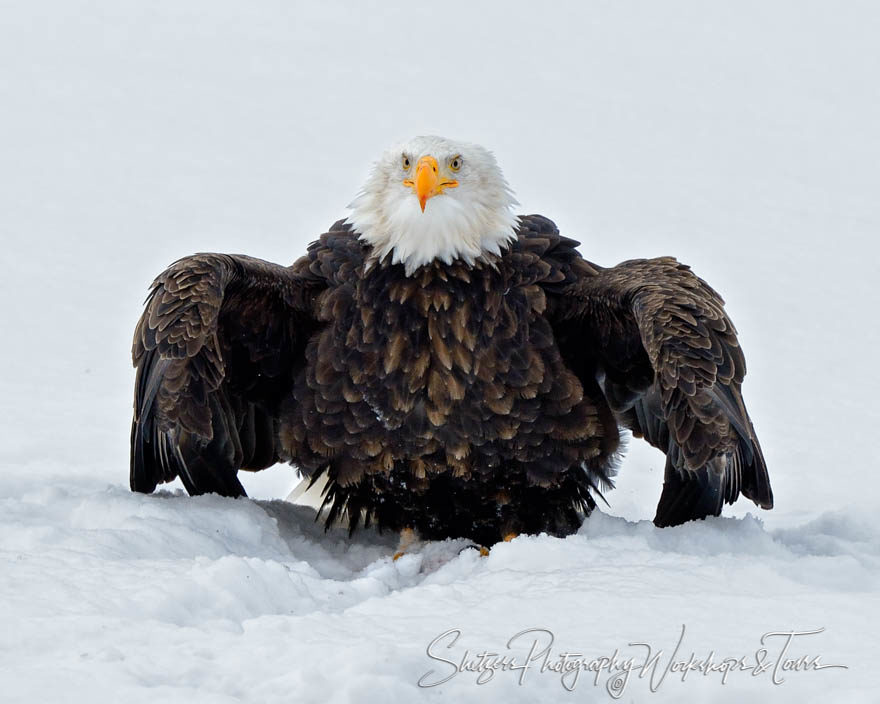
(215, 599)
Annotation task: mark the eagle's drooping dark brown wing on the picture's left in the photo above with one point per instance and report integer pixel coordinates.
(216, 349)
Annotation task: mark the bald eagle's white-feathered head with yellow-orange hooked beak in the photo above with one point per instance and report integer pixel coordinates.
(435, 199)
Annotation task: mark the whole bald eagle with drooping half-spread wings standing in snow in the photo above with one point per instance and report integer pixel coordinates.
(447, 367)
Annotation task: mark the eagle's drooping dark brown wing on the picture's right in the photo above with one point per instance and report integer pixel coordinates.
(667, 358)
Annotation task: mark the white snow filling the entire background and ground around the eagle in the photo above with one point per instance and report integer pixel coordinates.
(743, 139)
